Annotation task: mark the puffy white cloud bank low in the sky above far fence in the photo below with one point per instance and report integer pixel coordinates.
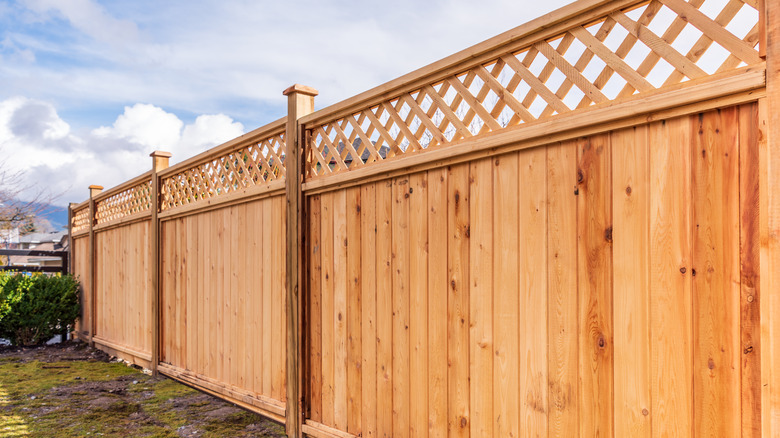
(35, 140)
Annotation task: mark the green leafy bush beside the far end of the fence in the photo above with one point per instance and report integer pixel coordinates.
(35, 308)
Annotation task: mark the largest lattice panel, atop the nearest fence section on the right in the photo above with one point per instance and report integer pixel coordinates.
(645, 47)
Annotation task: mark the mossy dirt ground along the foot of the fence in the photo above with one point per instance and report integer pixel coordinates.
(71, 390)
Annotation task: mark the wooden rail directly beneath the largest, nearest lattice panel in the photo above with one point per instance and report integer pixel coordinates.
(745, 85)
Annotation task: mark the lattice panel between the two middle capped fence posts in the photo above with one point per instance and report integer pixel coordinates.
(255, 164)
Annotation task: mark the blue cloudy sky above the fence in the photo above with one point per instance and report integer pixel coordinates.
(88, 88)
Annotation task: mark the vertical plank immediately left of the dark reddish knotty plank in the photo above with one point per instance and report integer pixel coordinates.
(563, 345)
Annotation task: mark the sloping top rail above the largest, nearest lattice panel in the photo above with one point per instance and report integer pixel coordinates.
(579, 13)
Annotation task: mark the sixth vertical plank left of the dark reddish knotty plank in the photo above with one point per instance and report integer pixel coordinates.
(438, 291)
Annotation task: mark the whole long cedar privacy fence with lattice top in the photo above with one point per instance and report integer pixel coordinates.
(570, 229)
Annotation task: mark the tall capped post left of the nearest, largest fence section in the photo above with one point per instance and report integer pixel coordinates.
(300, 102)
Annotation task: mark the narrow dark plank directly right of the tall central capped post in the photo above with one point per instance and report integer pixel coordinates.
(315, 315)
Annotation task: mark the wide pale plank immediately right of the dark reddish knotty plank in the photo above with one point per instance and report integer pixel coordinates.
(631, 203)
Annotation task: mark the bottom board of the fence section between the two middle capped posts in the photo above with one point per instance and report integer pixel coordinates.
(265, 406)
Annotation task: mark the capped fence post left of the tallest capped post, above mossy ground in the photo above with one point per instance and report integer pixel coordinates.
(160, 161)
